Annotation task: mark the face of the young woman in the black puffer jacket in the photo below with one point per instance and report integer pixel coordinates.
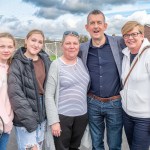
(34, 44)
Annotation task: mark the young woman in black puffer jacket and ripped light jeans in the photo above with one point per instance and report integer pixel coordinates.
(26, 81)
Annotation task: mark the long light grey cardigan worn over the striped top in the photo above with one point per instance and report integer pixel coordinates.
(51, 102)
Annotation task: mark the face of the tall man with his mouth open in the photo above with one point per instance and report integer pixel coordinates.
(96, 26)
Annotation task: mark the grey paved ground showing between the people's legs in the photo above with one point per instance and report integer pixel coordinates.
(13, 146)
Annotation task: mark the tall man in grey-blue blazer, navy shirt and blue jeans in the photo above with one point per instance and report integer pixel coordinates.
(102, 56)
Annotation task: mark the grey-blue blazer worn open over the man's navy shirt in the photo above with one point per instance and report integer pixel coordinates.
(117, 45)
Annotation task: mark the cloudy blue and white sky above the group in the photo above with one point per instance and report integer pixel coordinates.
(54, 17)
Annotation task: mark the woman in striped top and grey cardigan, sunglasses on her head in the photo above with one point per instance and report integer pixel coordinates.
(66, 90)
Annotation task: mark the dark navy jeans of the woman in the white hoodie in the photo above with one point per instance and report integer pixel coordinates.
(137, 131)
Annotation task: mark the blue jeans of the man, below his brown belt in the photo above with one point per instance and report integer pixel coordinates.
(109, 113)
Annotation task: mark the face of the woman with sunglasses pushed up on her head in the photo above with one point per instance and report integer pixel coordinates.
(70, 47)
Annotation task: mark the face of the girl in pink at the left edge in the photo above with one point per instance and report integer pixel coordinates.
(7, 47)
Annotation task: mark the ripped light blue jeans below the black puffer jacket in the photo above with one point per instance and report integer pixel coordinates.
(28, 140)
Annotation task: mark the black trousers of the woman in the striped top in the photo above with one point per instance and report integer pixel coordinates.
(72, 131)
